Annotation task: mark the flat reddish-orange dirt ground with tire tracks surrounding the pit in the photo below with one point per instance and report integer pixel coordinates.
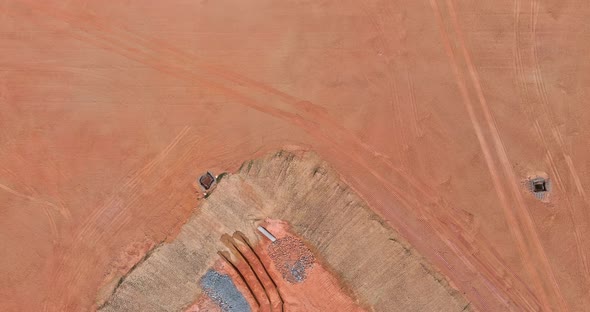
(434, 111)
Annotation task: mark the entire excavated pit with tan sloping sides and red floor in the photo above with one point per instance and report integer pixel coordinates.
(331, 251)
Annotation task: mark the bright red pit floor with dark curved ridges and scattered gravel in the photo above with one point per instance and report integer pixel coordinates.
(274, 289)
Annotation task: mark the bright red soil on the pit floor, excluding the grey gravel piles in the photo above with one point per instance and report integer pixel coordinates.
(318, 291)
